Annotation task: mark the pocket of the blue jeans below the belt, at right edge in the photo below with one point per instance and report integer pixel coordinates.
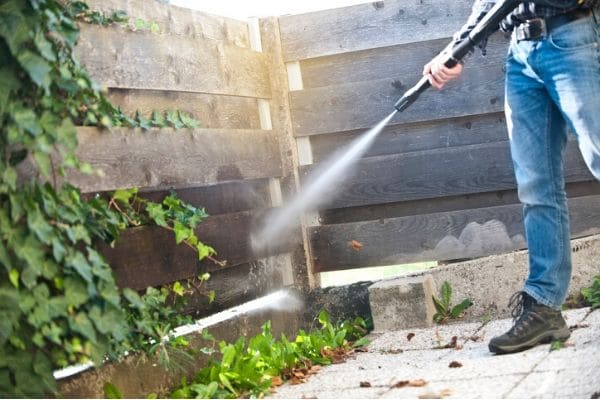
(575, 35)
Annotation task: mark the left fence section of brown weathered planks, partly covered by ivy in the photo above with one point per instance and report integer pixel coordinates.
(210, 67)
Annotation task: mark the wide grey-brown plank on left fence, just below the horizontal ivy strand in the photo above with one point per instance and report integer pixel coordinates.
(165, 158)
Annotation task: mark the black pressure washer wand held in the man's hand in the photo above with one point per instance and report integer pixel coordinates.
(489, 23)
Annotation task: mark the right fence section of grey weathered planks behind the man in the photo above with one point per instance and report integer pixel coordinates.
(438, 183)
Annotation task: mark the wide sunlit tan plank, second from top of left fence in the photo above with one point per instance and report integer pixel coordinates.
(126, 60)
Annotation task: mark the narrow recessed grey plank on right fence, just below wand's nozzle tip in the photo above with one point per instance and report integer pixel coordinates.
(406, 138)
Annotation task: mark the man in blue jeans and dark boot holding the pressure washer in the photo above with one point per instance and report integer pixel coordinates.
(552, 82)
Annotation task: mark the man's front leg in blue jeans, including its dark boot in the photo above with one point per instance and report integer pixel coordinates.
(538, 137)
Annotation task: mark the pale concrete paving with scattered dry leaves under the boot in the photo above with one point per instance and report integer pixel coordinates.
(396, 367)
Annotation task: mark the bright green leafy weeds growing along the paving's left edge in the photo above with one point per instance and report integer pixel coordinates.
(250, 369)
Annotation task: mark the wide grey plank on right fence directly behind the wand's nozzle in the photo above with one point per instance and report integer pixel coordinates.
(360, 105)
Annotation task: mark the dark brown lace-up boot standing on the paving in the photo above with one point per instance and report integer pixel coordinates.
(534, 323)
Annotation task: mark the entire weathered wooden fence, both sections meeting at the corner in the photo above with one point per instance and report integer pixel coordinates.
(275, 98)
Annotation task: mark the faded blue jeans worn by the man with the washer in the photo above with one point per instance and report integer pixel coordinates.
(551, 84)
